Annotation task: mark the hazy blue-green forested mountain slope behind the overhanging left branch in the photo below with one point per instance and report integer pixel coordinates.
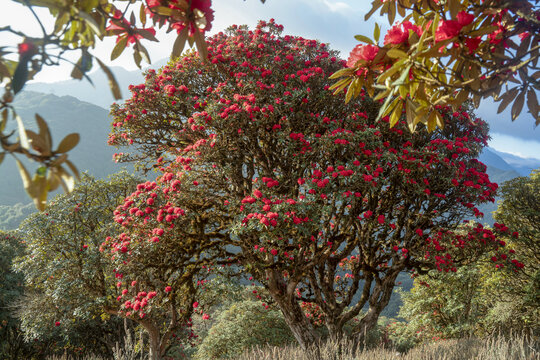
(64, 115)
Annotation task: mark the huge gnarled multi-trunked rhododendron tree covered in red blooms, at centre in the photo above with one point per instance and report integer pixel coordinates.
(258, 158)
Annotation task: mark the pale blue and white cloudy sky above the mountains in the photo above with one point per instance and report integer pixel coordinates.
(333, 22)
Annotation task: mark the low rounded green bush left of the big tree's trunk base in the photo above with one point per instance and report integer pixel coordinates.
(241, 326)
